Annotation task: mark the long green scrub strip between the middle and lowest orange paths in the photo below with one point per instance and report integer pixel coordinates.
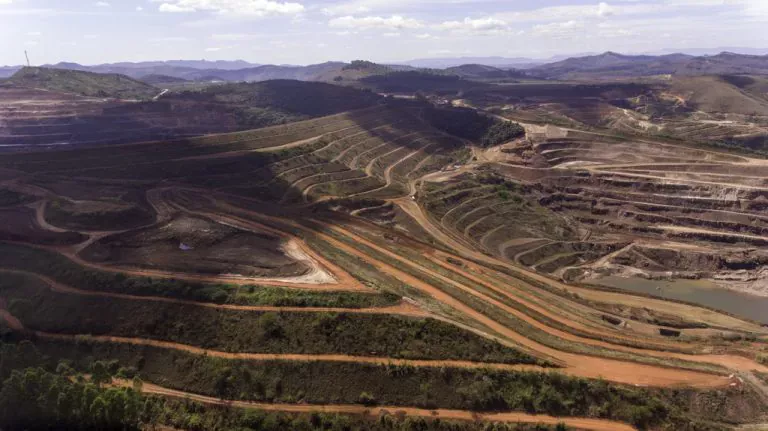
(324, 382)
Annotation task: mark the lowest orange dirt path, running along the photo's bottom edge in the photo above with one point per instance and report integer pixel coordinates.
(375, 412)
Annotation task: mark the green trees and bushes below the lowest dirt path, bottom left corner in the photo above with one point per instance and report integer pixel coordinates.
(40, 398)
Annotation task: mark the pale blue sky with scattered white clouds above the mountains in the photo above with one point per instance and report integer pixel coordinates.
(311, 31)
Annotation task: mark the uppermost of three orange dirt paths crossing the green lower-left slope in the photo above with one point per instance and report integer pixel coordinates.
(403, 309)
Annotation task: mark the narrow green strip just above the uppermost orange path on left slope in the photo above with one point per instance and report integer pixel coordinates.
(58, 267)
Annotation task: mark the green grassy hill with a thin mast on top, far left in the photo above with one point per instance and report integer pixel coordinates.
(83, 83)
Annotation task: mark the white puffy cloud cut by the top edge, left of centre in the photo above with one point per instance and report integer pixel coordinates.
(233, 7)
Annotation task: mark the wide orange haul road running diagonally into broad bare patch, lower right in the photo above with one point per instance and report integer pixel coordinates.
(576, 365)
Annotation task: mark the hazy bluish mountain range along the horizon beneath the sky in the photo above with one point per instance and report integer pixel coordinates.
(609, 65)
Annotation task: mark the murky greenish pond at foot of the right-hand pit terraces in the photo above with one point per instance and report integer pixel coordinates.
(700, 292)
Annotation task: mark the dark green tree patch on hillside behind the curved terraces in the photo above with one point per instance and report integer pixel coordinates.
(469, 124)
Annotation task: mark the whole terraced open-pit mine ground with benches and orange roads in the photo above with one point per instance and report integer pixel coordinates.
(368, 258)
